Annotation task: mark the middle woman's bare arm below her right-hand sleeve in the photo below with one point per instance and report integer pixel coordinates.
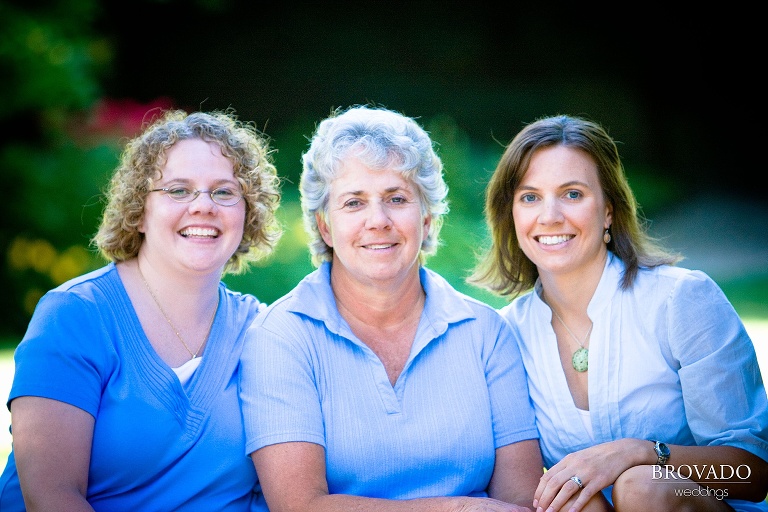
(517, 472)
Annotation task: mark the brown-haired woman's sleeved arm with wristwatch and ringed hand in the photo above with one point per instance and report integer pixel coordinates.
(703, 340)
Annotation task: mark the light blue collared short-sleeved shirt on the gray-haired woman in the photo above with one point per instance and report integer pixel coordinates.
(462, 393)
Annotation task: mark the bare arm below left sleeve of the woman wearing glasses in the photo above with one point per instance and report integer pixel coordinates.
(52, 447)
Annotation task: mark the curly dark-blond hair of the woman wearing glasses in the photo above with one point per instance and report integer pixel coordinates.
(141, 165)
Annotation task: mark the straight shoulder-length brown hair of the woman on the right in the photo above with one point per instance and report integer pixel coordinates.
(505, 269)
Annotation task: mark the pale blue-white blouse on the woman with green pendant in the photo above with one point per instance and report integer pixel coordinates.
(669, 359)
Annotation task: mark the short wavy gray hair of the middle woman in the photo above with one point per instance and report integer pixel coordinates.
(381, 139)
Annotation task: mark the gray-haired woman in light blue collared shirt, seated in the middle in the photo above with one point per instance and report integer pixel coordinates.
(374, 385)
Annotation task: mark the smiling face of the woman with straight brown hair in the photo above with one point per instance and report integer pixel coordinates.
(560, 212)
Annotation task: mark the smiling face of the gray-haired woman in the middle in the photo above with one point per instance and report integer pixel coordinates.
(374, 224)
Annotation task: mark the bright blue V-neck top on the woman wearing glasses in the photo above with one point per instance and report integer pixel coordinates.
(157, 445)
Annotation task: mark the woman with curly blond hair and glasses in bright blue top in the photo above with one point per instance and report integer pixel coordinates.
(125, 390)
